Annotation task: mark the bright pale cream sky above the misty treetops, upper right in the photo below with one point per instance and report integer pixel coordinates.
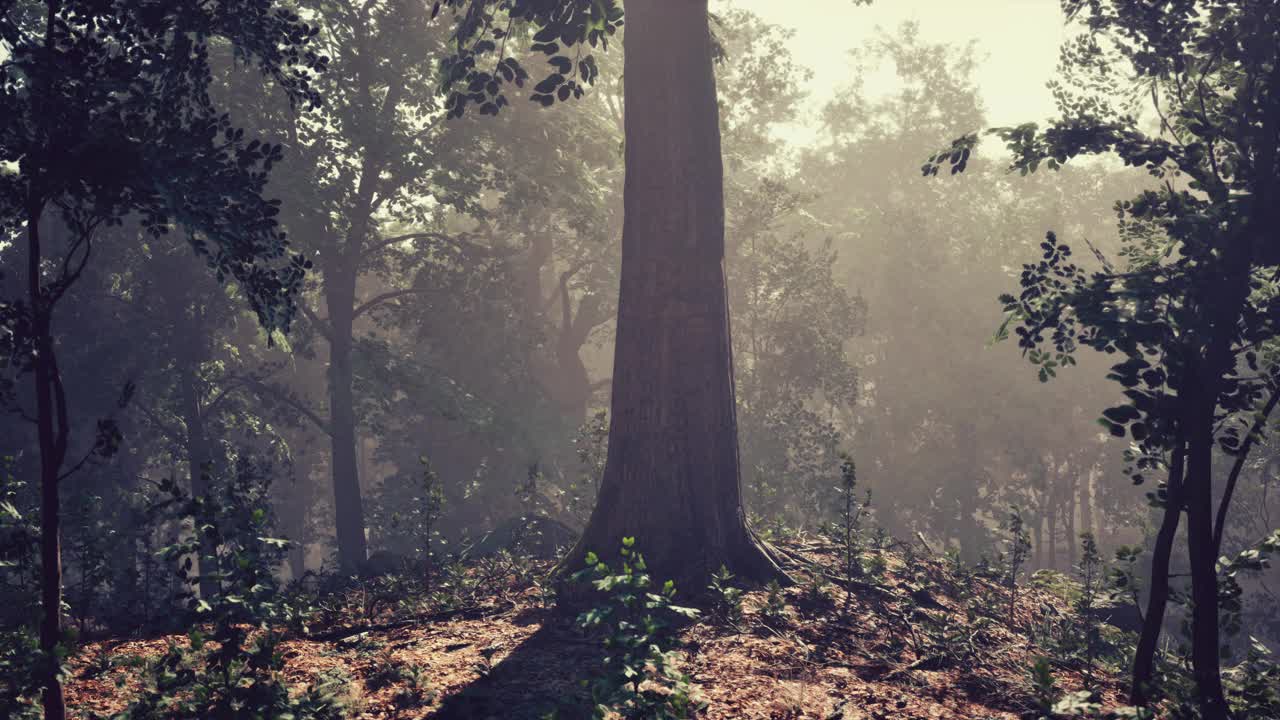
(1018, 39)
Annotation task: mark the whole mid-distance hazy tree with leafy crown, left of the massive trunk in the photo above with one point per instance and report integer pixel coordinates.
(368, 188)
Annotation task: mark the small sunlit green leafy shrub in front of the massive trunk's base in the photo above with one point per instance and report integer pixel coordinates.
(642, 677)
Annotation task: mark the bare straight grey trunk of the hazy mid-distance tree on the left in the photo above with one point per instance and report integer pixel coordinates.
(350, 513)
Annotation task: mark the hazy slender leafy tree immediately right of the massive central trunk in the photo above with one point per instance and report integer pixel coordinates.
(793, 322)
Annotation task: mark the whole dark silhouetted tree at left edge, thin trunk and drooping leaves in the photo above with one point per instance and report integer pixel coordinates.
(108, 115)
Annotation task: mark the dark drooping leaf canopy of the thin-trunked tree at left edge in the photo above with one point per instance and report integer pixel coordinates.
(111, 113)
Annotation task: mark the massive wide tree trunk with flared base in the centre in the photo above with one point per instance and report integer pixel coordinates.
(673, 475)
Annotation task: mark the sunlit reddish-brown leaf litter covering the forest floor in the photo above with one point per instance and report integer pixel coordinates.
(921, 642)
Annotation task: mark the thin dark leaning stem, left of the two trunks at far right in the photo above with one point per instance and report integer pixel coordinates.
(1158, 598)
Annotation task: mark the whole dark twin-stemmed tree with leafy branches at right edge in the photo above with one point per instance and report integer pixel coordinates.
(1197, 297)
